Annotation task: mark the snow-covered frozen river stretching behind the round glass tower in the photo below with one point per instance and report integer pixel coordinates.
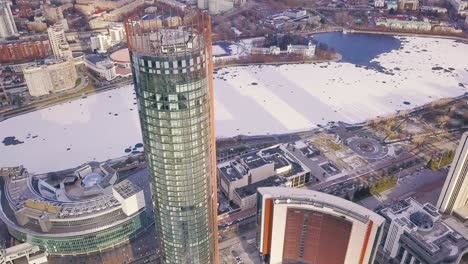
(250, 100)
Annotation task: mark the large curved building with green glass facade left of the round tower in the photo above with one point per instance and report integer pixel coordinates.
(91, 214)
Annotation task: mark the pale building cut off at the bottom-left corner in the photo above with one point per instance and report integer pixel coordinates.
(23, 253)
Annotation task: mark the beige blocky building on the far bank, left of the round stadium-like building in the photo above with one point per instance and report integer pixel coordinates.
(54, 76)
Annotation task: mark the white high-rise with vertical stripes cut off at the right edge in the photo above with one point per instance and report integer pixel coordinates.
(454, 196)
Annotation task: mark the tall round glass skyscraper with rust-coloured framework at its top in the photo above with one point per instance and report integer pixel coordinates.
(172, 71)
